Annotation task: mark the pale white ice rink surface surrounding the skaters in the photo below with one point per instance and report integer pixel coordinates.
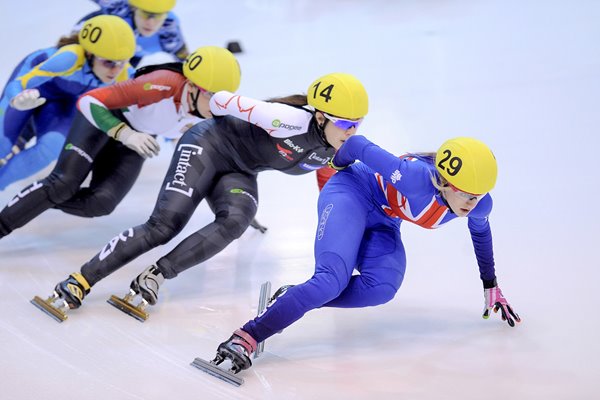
(521, 75)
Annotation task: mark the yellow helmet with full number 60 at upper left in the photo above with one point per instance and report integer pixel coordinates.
(108, 36)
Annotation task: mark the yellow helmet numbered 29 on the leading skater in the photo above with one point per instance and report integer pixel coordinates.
(467, 164)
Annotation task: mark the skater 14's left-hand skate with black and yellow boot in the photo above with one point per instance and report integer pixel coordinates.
(69, 293)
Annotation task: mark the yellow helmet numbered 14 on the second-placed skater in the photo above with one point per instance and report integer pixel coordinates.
(341, 95)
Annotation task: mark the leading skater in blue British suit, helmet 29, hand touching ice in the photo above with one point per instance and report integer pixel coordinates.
(361, 209)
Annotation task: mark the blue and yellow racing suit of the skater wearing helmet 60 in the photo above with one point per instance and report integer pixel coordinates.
(60, 75)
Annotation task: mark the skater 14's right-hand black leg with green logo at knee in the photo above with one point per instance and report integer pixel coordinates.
(234, 201)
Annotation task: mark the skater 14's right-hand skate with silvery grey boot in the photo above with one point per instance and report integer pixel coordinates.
(144, 285)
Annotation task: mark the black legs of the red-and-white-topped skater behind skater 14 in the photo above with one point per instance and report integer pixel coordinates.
(114, 168)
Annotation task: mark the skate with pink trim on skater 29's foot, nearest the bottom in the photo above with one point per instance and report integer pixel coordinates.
(237, 349)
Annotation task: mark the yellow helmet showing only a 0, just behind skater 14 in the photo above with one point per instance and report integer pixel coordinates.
(213, 68)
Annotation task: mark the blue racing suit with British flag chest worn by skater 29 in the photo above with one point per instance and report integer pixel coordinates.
(360, 212)
